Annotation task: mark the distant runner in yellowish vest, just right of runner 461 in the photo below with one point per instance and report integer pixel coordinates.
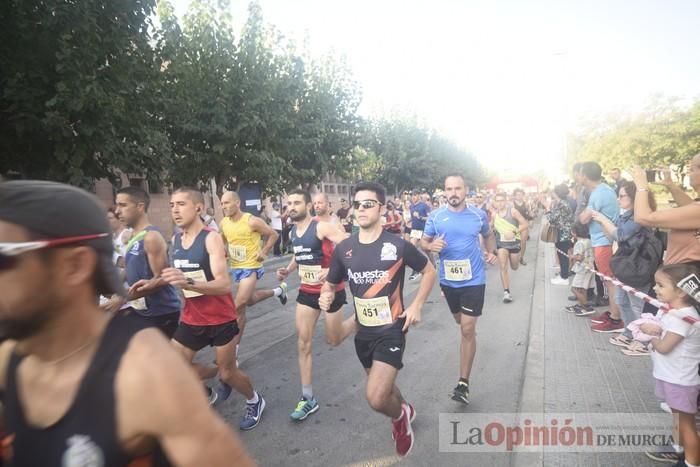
(508, 225)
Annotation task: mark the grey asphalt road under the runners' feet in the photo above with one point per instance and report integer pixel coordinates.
(345, 431)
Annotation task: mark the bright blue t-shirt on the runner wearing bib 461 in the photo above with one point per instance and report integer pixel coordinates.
(461, 232)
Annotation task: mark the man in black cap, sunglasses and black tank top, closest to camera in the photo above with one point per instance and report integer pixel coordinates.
(76, 383)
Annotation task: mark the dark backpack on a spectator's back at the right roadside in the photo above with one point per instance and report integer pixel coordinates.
(636, 266)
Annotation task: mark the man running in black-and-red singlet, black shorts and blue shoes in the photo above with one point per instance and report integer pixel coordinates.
(209, 315)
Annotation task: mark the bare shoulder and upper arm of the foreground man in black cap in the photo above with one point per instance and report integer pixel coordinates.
(176, 412)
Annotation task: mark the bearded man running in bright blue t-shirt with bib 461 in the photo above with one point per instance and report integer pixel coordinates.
(454, 232)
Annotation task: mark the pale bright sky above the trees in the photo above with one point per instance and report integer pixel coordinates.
(505, 79)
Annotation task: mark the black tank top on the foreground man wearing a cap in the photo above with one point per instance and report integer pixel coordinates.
(86, 435)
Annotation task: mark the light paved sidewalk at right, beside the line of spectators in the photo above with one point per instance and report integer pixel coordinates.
(571, 369)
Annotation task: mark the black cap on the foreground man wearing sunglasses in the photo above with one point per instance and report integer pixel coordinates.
(25, 202)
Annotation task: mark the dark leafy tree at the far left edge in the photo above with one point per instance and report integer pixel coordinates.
(80, 91)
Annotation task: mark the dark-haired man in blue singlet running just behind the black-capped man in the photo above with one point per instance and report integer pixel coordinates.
(153, 302)
